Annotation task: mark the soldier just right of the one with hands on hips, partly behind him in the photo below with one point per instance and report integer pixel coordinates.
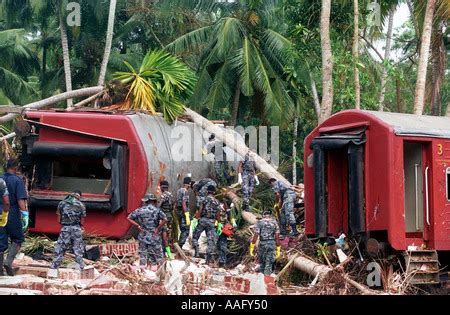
(166, 204)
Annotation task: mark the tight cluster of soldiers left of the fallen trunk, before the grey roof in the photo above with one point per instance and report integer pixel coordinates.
(155, 221)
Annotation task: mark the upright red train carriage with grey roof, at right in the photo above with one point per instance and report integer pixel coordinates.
(382, 175)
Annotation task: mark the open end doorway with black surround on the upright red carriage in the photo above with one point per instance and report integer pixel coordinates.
(339, 182)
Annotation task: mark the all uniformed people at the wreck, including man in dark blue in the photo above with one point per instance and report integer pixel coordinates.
(155, 220)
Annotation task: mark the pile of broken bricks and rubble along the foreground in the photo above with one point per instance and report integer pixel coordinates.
(120, 274)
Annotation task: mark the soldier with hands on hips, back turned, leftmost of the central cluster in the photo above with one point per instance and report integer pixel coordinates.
(149, 219)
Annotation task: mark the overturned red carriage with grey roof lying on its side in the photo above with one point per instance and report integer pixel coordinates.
(113, 158)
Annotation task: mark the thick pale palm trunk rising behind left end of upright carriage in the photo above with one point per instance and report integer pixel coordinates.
(327, 62)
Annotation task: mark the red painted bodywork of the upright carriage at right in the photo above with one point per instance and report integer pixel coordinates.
(384, 181)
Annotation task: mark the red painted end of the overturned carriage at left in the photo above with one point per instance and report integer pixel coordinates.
(104, 125)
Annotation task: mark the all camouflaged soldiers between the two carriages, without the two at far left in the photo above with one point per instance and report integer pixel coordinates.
(214, 218)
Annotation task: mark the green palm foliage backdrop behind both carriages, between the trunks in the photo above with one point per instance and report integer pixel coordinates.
(266, 53)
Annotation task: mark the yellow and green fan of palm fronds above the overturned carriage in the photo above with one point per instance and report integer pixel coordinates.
(162, 83)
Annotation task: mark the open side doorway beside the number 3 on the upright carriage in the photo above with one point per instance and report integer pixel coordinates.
(417, 173)
